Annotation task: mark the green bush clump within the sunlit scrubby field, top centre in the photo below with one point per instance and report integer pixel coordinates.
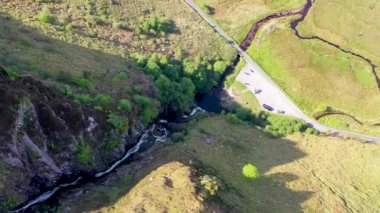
(155, 25)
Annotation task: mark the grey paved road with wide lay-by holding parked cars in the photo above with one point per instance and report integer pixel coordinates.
(255, 78)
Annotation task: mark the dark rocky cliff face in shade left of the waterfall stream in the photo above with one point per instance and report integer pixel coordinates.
(42, 134)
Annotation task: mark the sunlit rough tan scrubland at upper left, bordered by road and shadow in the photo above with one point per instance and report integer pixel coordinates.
(113, 28)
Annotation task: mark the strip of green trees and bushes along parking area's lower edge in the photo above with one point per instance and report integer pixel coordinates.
(274, 125)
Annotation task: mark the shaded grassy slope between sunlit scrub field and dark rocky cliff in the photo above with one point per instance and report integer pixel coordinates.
(27, 51)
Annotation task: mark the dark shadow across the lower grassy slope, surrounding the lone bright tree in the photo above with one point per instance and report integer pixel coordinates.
(267, 194)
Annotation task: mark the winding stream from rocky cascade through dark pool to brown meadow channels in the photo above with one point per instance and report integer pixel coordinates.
(211, 102)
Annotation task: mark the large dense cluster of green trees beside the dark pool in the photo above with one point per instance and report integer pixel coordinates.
(177, 81)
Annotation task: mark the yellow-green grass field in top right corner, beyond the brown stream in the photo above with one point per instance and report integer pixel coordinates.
(353, 25)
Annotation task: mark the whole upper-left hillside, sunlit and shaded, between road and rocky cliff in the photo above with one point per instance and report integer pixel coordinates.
(87, 48)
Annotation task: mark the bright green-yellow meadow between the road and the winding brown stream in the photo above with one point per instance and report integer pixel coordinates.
(316, 75)
